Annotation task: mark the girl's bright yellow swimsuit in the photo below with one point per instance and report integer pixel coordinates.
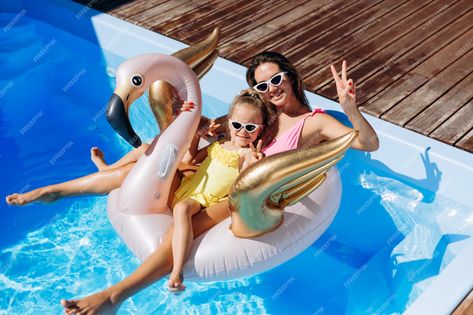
(213, 179)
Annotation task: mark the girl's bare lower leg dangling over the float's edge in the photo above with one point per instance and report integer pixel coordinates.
(182, 239)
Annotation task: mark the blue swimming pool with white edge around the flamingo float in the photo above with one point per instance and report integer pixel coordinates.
(400, 242)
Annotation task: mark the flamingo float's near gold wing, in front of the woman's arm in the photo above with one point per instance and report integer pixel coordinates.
(261, 192)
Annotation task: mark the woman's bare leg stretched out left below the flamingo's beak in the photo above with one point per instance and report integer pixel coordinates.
(96, 184)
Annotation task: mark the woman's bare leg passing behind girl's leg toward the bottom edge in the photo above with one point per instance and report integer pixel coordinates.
(156, 266)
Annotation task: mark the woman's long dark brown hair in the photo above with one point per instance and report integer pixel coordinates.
(286, 66)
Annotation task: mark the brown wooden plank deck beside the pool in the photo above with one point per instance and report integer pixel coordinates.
(412, 60)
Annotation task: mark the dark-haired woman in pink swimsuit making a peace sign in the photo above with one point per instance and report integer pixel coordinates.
(292, 115)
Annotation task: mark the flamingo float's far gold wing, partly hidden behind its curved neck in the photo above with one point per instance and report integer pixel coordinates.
(200, 57)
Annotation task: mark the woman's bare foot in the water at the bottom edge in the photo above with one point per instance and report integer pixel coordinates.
(98, 303)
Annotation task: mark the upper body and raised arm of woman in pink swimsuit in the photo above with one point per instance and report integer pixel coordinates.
(273, 76)
